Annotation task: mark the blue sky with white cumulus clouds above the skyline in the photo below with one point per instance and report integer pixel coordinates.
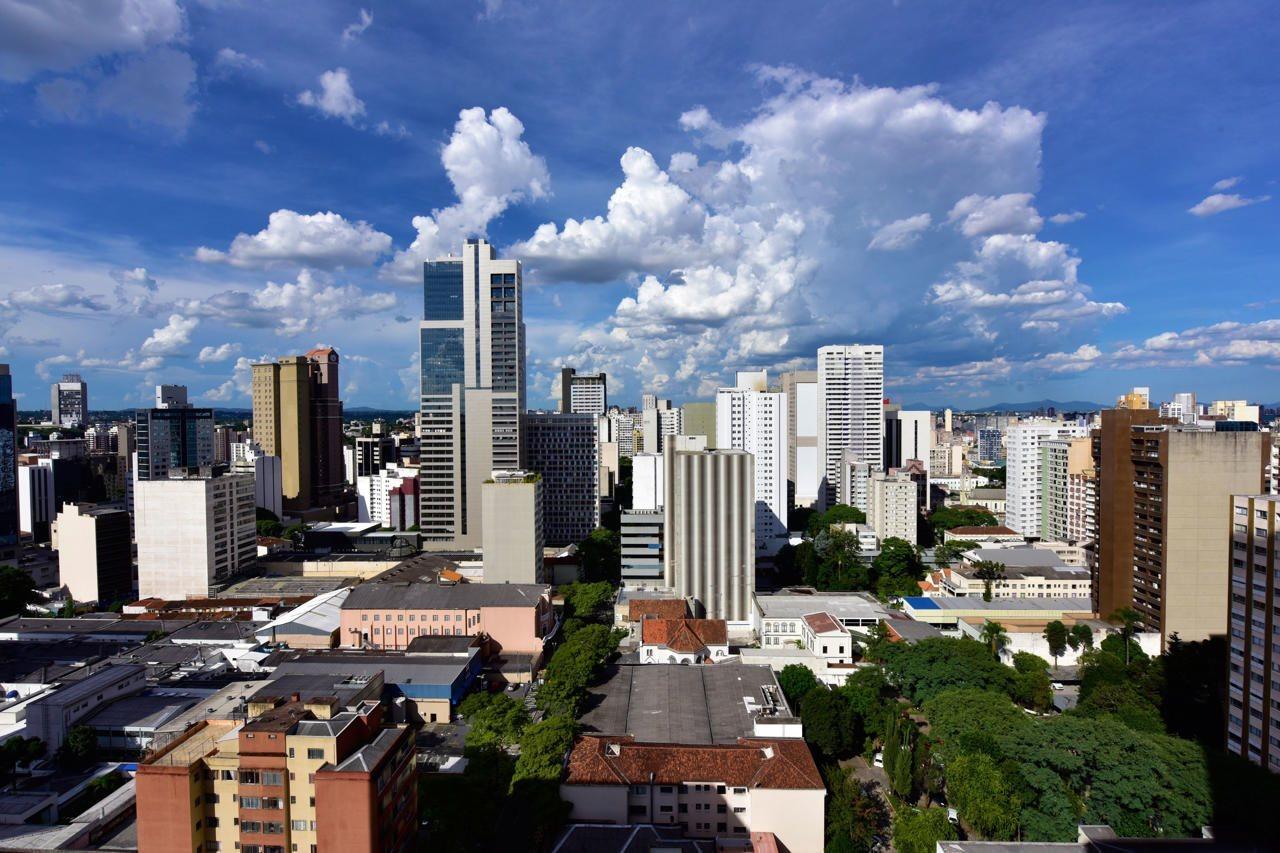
(1020, 200)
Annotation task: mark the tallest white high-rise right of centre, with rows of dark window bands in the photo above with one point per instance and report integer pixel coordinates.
(851, 413)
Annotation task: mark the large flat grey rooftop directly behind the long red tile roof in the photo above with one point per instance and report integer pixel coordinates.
(685, 705)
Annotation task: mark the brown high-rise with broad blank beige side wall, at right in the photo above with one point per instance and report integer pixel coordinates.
(1164, 528)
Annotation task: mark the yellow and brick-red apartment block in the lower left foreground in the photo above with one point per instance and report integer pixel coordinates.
(304, 772)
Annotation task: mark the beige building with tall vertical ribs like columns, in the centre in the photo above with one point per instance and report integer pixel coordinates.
(710, 530)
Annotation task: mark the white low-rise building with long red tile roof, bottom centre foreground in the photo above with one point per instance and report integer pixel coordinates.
(712, 791)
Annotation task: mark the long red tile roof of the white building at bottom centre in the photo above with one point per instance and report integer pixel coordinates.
(749, 764)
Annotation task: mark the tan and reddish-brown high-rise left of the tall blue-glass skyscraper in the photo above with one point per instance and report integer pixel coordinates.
(298, 417)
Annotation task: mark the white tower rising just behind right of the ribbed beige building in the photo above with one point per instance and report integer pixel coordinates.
(751, 418)
